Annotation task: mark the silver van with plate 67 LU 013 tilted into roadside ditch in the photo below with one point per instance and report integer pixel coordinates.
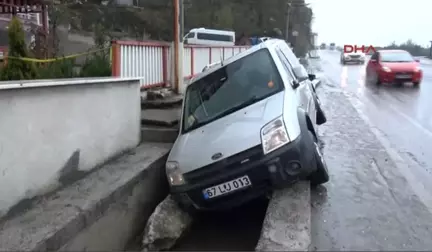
(248, 126)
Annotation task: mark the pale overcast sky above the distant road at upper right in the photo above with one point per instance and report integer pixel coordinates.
(375, 22)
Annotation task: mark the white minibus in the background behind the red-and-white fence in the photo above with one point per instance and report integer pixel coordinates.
(202, 36)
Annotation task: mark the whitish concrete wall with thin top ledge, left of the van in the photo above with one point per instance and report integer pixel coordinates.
(54, 132)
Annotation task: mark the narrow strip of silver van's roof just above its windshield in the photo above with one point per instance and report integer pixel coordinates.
(270, 44)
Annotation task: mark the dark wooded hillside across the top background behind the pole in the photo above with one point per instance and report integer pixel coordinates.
(153, 19)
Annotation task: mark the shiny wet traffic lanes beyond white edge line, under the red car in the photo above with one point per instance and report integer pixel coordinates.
(402, 115)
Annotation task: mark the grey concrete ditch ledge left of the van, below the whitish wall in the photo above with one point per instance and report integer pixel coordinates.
(103, 211)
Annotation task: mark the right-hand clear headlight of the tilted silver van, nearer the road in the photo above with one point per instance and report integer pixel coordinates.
(274, 135)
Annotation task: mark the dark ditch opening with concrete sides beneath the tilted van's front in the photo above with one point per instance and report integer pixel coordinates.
(283, 223)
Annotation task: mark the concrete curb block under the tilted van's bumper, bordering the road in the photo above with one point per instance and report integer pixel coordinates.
(287, 222)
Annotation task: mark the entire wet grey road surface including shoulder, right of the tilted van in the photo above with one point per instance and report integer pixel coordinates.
(373, 202)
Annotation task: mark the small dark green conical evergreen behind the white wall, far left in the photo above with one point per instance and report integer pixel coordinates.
(16, 68)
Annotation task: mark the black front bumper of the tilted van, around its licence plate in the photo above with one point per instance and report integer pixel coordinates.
(277, 169)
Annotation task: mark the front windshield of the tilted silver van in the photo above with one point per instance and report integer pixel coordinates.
(230, 88)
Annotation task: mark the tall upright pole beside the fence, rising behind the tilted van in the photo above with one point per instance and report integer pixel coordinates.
(178, 45)
